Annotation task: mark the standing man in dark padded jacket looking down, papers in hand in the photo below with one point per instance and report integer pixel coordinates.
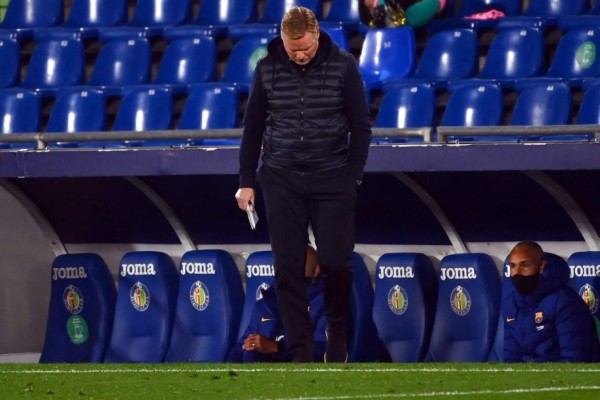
(308, 110)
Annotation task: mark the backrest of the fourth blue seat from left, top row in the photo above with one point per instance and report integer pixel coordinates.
(224, 13)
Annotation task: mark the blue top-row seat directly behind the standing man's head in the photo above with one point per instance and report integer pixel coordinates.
(269, 21)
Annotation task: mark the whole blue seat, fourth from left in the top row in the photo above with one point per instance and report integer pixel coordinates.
(216, 16)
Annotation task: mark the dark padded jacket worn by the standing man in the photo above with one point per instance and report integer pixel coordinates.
(303, 115)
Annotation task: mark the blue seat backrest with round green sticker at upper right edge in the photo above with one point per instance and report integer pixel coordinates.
(576, 55)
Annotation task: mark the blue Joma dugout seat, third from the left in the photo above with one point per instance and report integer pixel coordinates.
(209, 307)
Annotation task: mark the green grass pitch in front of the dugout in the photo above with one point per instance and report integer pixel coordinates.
(300, 381)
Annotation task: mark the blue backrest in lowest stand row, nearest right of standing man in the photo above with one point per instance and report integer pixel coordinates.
(407, 105)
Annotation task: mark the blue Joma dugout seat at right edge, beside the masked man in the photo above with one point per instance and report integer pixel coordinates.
(585, 280)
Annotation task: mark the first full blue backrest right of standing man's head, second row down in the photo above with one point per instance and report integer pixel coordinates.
(387, 54)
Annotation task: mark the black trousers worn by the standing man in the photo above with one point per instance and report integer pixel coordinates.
(326, 201)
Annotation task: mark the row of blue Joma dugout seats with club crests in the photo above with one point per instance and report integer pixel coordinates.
(156, 315)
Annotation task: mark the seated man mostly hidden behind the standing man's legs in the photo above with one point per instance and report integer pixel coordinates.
(264, 339)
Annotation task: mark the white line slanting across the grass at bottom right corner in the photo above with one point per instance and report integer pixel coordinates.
(445, 394)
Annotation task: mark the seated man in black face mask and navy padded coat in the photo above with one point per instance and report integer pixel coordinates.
(544, 319)
